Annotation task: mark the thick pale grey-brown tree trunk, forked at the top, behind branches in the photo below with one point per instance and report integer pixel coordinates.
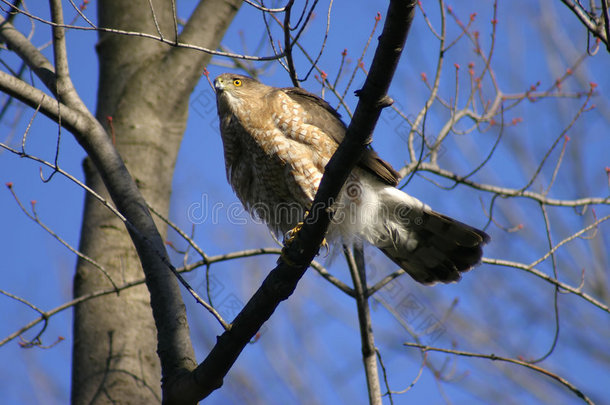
(143, 94)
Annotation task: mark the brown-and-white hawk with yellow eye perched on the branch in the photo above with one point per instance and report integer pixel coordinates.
(277, 142)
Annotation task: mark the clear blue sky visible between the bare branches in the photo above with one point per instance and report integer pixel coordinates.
(312, 341)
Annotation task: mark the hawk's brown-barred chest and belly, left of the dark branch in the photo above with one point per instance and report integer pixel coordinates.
(274, 158)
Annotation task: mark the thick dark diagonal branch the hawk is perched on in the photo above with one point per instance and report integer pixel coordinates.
(282, 280)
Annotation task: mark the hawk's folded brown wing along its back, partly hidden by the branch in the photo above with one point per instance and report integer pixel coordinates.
(323, 116)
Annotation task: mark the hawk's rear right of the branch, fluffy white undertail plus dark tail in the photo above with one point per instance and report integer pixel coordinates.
(431, 247)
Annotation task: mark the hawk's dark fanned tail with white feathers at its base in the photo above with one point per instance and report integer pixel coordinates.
(431, 247)
